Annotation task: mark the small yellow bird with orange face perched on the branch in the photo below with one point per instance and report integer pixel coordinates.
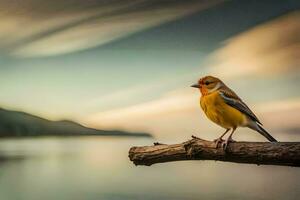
(225, 108)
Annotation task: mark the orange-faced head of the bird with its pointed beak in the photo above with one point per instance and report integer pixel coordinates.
(208, 84)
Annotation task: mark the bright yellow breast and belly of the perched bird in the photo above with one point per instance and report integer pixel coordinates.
(219, 112)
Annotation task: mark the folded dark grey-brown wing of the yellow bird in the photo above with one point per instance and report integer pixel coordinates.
(234, 101)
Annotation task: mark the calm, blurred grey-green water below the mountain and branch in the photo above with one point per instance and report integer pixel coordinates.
(99, 168)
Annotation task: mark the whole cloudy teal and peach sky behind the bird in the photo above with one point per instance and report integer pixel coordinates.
(129, 64)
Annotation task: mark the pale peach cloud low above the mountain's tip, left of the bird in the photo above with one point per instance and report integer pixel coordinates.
(165, 115)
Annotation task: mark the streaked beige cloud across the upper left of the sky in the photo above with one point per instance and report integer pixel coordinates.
(59, 27)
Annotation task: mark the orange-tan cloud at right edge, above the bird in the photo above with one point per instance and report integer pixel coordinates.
(268, 49)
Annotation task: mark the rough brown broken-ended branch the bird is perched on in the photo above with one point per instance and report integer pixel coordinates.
(260, 153)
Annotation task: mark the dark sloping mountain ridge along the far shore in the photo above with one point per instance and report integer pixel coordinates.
(14, 124)
